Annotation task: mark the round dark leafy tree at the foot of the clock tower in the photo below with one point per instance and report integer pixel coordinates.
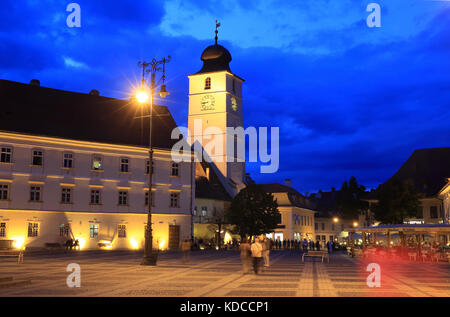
(253, 212)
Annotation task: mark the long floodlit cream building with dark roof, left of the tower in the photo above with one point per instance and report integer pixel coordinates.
(72, 166)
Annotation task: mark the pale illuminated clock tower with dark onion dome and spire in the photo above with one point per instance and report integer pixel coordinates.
(215, 103)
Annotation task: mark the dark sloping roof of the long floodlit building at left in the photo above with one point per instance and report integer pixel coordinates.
(50, 112)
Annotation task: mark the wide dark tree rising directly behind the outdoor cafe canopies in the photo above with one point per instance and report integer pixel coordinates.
(397, 200)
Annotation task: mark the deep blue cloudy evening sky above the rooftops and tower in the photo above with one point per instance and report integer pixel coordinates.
(349, 99)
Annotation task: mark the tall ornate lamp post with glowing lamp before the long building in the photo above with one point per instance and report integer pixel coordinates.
(153, 67)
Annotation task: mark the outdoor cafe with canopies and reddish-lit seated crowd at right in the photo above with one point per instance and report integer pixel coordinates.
(420, 242)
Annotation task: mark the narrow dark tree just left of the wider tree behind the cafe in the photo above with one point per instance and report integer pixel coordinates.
(349, 202)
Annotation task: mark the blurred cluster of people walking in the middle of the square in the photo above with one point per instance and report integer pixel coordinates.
(255, 253)
